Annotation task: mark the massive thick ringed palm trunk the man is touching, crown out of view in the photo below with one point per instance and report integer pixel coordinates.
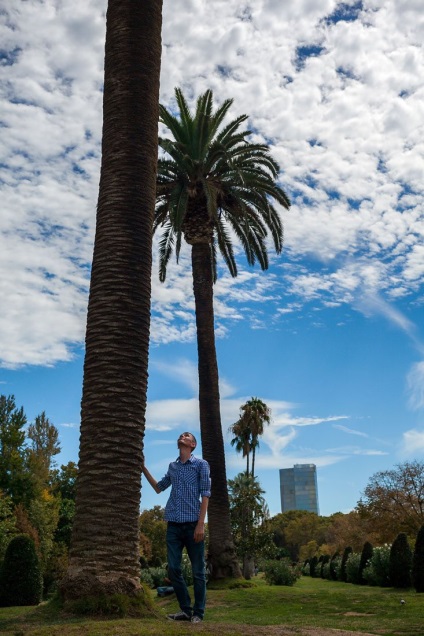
(104, 555)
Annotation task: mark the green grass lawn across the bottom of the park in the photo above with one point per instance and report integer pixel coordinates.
(310, 603)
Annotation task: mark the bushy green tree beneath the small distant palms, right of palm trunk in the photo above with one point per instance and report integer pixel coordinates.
(248, 514)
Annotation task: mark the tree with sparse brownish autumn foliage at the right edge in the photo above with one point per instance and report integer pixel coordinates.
(394, 499)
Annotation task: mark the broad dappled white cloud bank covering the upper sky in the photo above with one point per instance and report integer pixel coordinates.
(345, 124)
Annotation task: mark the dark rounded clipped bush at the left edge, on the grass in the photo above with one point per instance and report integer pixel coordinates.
(21, 581)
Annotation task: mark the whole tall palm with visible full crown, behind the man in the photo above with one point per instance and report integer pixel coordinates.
(213, 184)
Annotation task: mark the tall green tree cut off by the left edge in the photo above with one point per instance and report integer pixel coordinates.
(14, 480)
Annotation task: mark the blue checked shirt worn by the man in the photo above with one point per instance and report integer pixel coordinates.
(190, 481)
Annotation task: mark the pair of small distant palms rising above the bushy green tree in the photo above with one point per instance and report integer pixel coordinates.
(249, 427)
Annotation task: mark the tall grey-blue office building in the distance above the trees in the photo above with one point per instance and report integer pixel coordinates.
(298, 488)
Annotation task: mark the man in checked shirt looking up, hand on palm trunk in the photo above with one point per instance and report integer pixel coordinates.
(185, 512)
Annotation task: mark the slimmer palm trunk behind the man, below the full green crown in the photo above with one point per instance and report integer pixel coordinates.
(221, 555)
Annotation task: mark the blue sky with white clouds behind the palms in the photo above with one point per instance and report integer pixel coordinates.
(331, 337)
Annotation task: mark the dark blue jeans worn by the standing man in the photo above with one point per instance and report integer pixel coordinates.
(179, 536)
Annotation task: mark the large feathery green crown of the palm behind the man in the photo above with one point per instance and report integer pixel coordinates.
(213, 180)
